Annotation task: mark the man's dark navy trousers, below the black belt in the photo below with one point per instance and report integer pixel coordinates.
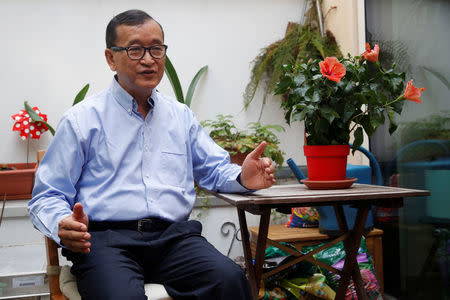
(189, 267)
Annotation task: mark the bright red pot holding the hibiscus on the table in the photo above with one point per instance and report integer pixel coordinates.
(327, 162)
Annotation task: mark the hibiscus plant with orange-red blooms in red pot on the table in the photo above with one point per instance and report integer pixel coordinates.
(337, 97)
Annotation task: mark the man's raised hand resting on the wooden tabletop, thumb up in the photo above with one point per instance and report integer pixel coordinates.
(257, 172)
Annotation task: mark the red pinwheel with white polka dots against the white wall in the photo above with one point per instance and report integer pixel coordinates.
(27, 127)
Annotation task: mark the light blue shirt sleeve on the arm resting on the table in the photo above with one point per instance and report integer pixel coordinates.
(211, 163)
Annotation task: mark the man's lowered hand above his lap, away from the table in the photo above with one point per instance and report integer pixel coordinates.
(73, 231)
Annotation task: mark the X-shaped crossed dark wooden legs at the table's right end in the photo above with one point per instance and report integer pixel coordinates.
(351, 245)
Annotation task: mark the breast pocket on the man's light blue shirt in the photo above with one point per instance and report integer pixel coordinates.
(174, 168)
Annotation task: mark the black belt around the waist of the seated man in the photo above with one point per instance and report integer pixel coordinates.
(143, 225)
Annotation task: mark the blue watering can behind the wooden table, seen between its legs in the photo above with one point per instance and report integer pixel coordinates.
(327, 218)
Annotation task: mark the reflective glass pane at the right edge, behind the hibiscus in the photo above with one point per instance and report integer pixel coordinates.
(415, 35)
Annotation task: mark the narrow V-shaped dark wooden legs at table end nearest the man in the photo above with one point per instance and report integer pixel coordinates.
(254, 270)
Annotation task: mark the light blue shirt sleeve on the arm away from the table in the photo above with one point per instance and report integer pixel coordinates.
(54, 189)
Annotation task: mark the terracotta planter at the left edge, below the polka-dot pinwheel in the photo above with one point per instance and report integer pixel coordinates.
(18, 183)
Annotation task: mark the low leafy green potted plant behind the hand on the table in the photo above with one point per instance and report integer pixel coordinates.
(240, 143)
